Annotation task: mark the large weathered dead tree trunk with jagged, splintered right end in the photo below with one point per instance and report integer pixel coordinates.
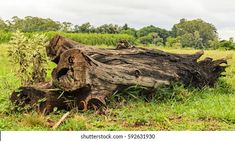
(88, 74)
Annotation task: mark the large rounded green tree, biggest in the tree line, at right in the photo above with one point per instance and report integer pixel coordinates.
(195, 33)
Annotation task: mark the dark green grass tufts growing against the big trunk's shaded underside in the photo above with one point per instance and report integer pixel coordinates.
(173, 92)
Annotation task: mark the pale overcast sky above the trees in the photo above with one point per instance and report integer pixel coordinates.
(136, 13)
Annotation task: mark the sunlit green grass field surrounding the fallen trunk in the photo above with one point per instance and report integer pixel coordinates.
(184, 109)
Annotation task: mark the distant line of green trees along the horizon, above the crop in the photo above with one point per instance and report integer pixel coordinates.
(187, 33)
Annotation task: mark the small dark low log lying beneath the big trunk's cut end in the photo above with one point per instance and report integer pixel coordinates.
(44, 97)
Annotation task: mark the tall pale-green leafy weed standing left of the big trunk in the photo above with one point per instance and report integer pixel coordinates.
(29, 56)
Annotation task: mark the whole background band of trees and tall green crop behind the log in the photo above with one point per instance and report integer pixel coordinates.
(187, 33)
